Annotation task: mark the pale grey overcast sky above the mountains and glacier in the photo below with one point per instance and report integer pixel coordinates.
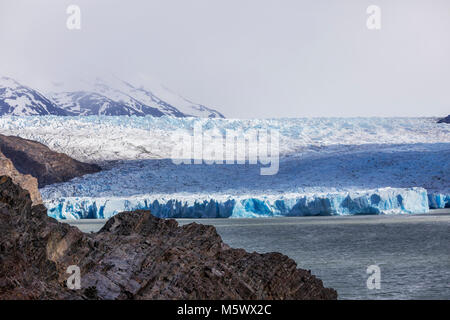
(247, 58)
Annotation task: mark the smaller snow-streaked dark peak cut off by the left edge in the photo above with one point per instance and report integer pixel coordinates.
(20, 100)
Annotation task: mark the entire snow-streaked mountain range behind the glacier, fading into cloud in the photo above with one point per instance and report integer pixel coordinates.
(105, 96)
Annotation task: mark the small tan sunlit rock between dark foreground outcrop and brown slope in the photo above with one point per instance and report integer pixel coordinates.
(27, 182)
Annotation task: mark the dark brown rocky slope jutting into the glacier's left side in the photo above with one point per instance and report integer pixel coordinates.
(36, 159)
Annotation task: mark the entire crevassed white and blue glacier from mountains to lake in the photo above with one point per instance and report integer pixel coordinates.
(327, 166)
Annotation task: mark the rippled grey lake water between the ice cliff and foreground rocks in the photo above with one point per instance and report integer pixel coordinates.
(412, 251)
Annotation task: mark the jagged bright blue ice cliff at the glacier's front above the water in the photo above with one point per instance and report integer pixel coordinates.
(379, 201)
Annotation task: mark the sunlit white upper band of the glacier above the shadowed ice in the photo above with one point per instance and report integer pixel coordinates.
(108, 138)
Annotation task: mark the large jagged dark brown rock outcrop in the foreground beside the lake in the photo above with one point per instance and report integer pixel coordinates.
(135, 256)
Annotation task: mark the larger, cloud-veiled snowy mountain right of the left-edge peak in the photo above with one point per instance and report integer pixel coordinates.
(113, 96)
